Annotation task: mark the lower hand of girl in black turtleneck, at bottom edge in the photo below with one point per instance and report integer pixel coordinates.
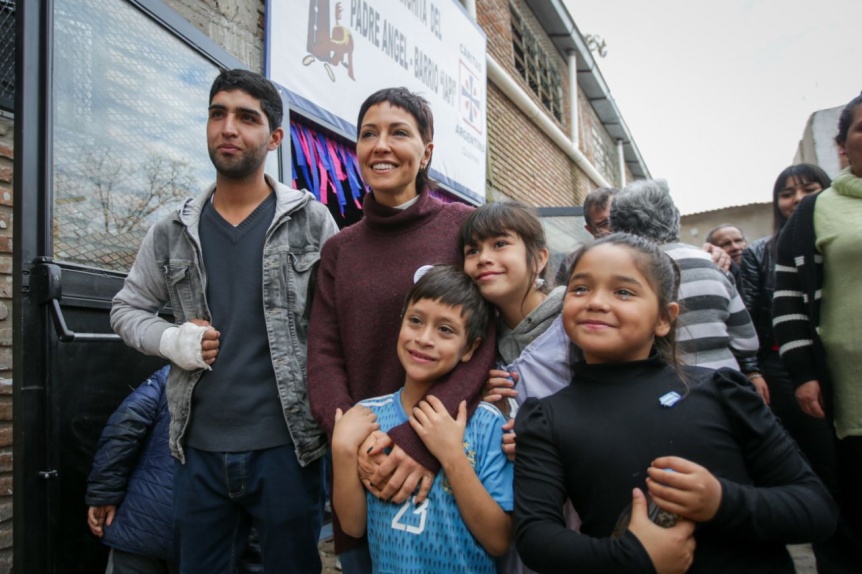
(671, 550)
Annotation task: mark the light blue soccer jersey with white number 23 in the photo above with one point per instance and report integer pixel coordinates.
(432, 537)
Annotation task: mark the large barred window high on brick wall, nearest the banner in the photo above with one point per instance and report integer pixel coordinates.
(536, 66)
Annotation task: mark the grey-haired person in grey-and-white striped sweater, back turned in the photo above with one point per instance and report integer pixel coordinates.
(714, 329)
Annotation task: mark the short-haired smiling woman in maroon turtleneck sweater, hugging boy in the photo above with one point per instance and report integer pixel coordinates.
(365, 272)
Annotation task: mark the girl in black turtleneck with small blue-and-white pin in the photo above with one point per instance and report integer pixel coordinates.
(702, 442)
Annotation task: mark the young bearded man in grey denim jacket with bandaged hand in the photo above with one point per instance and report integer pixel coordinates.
(235, 264)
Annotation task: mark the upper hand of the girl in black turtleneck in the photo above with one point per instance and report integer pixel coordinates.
(690, 491)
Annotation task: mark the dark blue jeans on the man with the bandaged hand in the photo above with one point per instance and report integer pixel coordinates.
(219, 495)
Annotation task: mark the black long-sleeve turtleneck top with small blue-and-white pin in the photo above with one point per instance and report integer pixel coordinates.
(594, 440)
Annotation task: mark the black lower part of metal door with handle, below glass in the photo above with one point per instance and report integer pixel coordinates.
(88, 372)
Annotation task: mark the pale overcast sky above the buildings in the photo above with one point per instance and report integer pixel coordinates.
(716, 93)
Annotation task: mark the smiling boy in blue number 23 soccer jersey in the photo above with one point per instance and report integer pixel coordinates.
(465, 520)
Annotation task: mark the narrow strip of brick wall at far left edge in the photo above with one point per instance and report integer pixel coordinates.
(6, 157)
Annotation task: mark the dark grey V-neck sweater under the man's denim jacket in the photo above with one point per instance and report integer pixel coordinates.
(235, 406)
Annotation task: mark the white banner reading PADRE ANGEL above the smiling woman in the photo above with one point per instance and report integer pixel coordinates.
(329, 55)
